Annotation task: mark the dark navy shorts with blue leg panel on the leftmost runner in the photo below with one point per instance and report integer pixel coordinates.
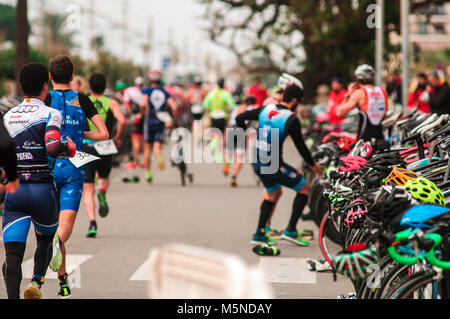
(37, 203)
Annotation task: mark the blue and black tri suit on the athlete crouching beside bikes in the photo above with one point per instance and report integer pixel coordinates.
(276, 123)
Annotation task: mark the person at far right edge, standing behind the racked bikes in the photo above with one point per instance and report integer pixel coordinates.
(439, 94)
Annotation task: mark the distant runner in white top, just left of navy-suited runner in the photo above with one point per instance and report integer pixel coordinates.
(132, 98)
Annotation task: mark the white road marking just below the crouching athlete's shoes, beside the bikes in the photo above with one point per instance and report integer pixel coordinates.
(287, 270)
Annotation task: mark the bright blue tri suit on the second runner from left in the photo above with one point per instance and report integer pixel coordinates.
(75, 109)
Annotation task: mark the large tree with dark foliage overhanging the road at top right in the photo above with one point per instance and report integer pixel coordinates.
(313, 39)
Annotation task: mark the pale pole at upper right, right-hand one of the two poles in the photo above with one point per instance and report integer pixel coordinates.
(404, 17)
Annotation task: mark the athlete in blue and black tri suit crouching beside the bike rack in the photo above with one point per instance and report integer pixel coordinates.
(276, 123)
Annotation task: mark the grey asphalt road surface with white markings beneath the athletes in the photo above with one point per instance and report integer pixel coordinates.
(208, 213)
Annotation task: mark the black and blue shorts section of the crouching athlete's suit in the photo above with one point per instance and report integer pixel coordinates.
(285, 176)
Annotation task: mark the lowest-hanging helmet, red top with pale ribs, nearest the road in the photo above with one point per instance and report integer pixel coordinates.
(356, 263)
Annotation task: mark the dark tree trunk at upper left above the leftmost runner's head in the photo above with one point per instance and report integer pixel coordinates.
(22, 50)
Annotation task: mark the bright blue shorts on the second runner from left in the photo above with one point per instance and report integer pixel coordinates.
(69, 182)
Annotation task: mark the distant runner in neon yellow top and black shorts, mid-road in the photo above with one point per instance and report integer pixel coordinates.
(219, 104)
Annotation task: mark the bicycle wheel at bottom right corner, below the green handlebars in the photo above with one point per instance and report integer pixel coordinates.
(420, 285)
